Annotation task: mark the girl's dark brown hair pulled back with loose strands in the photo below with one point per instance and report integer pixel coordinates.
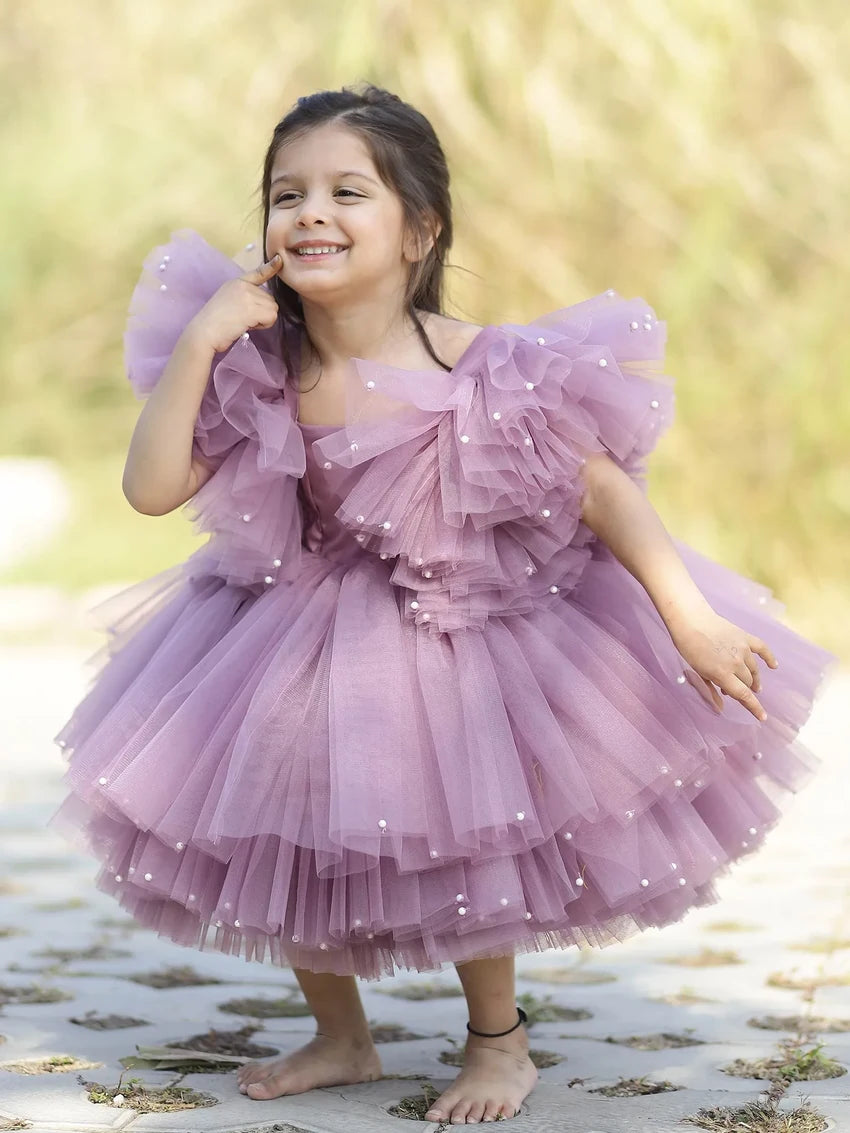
(409, 159)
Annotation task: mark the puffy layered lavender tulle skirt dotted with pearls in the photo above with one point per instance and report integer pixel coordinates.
(307, 778)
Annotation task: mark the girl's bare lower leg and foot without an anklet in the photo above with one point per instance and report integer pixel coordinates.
(341, 1053)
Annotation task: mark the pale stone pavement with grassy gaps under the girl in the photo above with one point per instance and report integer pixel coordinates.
(786, 910)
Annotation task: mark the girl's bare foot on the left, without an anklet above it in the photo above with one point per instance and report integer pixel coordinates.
(325, 1061)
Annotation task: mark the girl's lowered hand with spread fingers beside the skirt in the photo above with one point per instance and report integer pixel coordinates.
(722, 653)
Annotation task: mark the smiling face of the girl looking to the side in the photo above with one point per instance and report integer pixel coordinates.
(326, 191)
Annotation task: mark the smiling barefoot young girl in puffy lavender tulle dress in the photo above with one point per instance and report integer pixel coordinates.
(440, 687)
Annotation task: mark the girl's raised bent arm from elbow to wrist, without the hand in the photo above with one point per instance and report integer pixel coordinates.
(160, 473)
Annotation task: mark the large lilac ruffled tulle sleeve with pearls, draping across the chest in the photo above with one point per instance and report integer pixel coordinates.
(474, 482)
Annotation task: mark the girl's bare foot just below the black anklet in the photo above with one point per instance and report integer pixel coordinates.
(497, 1078)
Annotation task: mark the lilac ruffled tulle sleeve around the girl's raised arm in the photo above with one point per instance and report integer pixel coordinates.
(245, 431)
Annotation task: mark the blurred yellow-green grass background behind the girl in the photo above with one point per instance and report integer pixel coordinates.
(693, 156)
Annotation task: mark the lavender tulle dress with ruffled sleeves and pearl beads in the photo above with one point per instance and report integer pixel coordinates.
(404, 708)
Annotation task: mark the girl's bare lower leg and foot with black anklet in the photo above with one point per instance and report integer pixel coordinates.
(498, 1074)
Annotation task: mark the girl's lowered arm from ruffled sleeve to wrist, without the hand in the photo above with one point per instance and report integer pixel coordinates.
(617, 510)
